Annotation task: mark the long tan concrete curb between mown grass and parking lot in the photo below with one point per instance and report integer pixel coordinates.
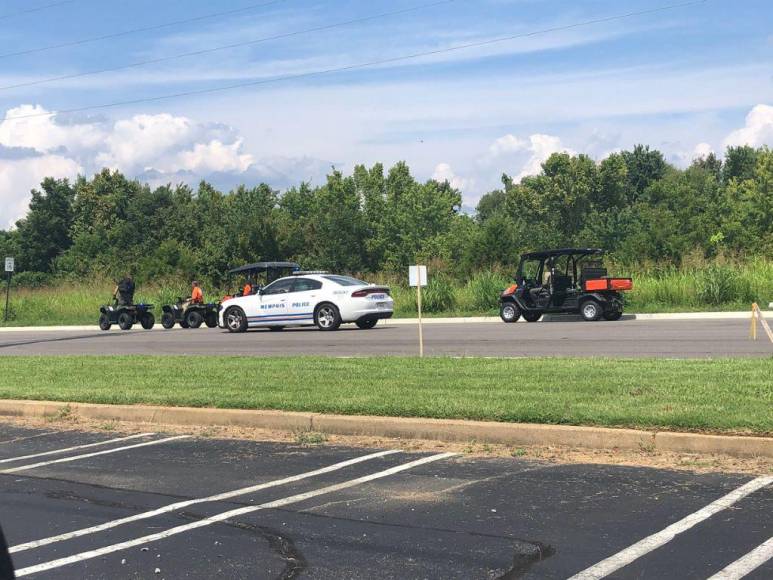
(406, 428)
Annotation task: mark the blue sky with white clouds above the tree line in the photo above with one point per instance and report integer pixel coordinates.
(687, 81)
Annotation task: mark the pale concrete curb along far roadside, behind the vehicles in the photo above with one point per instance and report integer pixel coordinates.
(454, 320)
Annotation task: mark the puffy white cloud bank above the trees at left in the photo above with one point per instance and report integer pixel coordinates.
(161, 148)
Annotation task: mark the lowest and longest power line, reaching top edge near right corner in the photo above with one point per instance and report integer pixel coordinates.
(360, 65)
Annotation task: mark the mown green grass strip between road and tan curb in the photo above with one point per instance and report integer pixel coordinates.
(730, 395)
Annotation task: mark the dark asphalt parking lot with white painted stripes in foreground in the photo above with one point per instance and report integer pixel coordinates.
(205, 508)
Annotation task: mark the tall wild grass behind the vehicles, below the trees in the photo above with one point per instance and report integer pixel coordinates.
(700, 287)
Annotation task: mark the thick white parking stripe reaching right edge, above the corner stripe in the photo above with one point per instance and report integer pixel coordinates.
(658, 539)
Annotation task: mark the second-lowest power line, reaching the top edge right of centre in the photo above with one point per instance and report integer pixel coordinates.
(226, 46)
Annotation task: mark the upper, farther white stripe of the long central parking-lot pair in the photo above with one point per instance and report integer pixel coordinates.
(183, 504)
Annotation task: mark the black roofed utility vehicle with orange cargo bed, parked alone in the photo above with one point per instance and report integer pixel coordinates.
(568, 280)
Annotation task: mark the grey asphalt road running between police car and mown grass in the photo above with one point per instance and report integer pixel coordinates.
(625, 338)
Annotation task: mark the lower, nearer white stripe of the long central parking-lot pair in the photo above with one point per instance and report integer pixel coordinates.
(225, 516)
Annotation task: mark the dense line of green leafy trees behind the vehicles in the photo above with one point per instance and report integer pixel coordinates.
(632, 203)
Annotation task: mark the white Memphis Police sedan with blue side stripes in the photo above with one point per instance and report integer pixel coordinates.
(306, 299)
